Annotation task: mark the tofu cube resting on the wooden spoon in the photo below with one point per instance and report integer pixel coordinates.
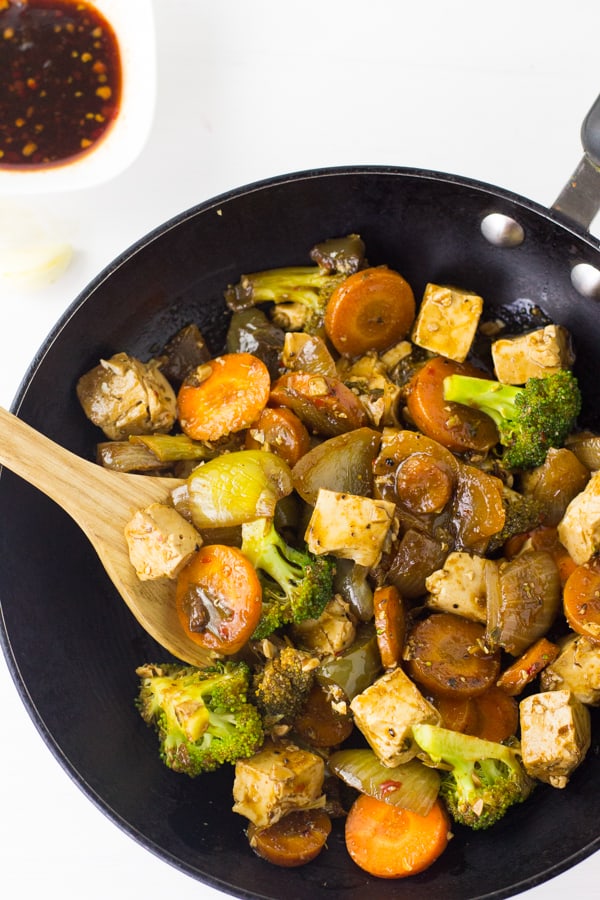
(160, 542)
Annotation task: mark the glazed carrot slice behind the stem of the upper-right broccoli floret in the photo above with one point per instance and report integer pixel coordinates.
(457, 427)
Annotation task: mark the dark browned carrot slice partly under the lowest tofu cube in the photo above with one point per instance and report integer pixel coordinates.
(293, 841)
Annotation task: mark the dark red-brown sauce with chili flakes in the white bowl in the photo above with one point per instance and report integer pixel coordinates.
(60, 80)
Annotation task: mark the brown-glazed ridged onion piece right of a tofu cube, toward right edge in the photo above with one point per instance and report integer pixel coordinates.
(523, 599)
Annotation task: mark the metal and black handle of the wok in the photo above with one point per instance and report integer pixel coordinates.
(579, 200)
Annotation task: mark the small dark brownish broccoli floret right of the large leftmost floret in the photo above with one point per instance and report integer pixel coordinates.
(282, 686)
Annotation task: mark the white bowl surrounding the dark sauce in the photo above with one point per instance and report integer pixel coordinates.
(133, 25)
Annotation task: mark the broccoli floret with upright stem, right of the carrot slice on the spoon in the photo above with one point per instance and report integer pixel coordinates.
(296, 585)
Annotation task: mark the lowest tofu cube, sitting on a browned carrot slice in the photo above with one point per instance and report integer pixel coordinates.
(277, 780)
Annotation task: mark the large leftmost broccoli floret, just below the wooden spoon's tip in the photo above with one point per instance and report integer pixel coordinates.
(202, 715)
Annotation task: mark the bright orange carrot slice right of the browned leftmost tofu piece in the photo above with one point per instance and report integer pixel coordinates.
(223, 395)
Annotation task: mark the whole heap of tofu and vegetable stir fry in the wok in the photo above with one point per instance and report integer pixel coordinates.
(388, 534)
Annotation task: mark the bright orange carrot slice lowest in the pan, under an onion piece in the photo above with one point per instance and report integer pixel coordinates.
(390, 842)
